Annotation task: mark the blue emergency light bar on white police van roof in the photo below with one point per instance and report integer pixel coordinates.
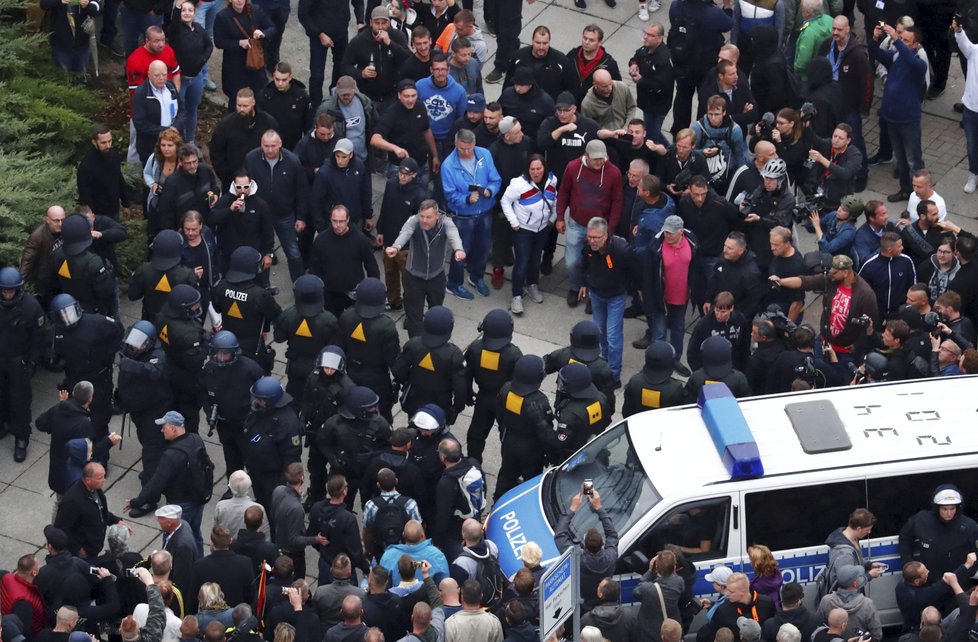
(729, 431)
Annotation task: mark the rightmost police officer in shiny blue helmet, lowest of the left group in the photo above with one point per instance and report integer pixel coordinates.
(272, 437)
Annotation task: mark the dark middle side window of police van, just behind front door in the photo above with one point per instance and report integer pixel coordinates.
(800, 517)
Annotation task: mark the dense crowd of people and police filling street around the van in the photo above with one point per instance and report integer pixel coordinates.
(650, 228)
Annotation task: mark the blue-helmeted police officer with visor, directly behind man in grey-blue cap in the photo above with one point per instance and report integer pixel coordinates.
(144, 391)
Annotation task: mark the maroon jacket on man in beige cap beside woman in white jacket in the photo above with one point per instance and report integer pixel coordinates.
(590, 193)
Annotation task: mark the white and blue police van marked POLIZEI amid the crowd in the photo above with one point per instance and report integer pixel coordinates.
(782, 470)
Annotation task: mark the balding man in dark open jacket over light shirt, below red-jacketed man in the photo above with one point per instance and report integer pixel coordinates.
(156, 106)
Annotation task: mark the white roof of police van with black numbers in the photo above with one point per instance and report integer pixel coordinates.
(883, 422)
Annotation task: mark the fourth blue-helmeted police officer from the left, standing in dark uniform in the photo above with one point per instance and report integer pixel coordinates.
(227, 378)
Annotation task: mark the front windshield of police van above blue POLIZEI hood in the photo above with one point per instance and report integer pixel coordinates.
(611, 462)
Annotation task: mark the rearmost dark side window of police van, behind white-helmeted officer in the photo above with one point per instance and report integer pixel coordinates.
(894, 500)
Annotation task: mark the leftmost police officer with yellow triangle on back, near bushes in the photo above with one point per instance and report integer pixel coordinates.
(78, 271)
